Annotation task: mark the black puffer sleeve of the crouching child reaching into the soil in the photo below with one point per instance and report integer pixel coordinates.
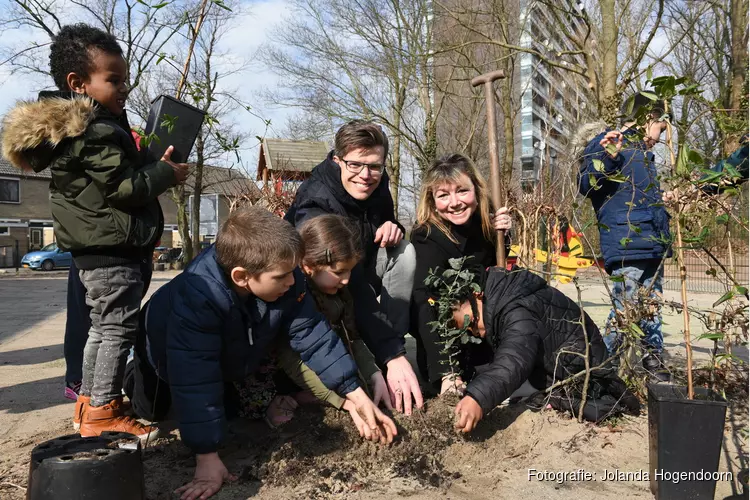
(515, 357)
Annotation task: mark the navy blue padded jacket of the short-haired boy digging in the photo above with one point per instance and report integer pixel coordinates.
(201, 334)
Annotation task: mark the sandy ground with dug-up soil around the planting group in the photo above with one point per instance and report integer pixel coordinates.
(494, 463)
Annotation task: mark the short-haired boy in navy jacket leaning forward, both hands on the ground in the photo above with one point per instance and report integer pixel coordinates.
(215, 322)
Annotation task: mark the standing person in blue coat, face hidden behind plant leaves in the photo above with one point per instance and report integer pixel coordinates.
(617, 173)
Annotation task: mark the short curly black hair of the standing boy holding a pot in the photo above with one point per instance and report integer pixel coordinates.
(71, 51)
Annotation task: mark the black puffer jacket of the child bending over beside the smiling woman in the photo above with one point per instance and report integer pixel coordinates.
(528, 323)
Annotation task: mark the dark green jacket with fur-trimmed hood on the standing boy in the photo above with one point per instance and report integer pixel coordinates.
(103, 198)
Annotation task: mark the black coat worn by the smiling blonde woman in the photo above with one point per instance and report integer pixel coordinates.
(434, 249)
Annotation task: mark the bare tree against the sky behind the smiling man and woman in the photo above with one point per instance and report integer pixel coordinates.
(345, 59)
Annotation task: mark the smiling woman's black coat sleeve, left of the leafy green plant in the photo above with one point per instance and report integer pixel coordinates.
(430, 255)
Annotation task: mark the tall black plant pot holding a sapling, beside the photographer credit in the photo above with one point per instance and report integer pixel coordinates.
(685, 439)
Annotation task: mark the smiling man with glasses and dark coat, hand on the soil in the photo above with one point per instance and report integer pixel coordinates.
(352, 182)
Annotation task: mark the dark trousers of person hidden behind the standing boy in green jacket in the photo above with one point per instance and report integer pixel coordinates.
(78, 321)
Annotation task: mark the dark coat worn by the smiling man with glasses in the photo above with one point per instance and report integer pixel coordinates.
(322, 194)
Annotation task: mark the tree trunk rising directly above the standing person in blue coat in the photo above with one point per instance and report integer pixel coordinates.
(609, 104)
